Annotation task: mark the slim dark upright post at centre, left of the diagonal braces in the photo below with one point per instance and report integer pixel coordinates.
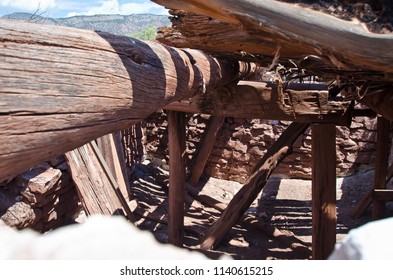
(177, 179)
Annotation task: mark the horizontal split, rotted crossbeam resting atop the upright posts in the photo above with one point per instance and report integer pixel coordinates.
(292, 102)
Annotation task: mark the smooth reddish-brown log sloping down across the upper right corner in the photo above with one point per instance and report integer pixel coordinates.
(295, 29)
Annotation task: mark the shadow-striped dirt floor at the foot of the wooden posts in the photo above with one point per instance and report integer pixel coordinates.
(283, 203)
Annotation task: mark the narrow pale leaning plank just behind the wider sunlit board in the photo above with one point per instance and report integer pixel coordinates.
(113, 154)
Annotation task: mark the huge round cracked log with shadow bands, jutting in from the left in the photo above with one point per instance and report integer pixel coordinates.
(62, 87)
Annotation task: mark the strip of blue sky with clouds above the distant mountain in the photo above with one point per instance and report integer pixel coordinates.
(67, 8)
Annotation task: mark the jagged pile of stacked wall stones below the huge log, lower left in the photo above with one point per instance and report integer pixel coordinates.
(42, 198)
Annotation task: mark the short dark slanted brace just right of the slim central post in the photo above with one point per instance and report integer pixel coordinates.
(204, 149)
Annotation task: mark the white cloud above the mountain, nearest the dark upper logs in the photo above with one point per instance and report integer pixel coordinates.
(113, 7)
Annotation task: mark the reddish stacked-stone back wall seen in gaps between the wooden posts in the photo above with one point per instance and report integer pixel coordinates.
(241, 143)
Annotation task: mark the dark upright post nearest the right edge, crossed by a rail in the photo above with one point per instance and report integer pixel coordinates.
(381, 165)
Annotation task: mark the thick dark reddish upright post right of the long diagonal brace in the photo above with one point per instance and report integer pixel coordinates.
(323, 189)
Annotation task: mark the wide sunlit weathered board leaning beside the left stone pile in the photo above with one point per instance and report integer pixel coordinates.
(96, 187)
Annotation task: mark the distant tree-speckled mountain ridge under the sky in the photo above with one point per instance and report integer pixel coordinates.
(115, 24)
